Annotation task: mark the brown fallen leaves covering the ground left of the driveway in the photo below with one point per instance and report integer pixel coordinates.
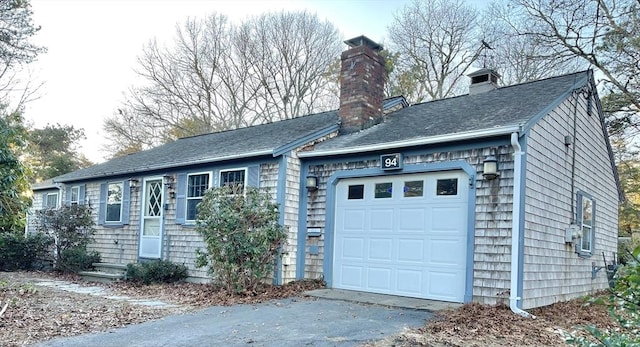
(37, 313)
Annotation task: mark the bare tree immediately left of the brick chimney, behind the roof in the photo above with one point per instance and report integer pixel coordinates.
(291, 53)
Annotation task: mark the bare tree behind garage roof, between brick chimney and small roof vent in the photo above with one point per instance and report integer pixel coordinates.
(437, 42)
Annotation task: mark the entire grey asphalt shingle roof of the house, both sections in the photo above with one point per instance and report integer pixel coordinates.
(503, 107)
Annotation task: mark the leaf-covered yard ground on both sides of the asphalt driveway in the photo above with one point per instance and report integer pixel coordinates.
(32, 313)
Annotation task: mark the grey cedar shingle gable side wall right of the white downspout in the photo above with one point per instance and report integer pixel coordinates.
(552, 270)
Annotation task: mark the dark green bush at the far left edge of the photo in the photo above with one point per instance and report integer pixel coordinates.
(18, 252)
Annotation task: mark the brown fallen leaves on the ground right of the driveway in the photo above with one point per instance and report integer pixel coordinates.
(481, 325)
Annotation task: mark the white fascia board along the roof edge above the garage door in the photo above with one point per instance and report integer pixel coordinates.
(415, 142)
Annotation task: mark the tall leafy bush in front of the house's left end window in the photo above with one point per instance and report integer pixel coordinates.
(72, 228)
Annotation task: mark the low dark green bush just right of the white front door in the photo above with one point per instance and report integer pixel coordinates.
(161, 271)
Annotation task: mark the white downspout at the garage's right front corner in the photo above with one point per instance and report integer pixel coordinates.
(514, 300)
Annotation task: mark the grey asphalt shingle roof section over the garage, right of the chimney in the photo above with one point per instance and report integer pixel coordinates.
(503, 107)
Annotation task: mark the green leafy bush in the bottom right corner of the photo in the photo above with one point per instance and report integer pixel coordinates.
(624, 307)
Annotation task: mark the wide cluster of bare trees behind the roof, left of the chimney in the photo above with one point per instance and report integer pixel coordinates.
(217, 76)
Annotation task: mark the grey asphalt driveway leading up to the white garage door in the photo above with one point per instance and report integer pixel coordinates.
(287, 322)
